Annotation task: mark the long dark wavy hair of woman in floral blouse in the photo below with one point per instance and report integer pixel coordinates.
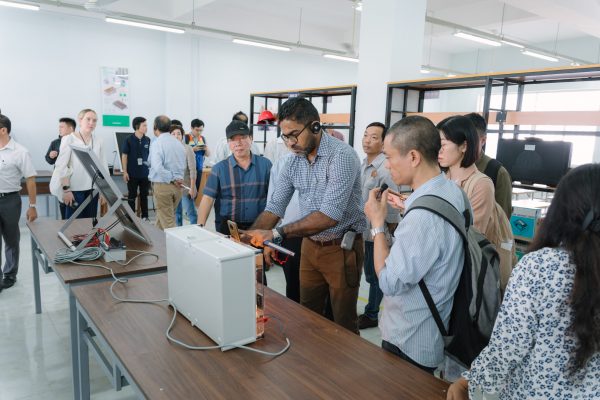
(573, 223)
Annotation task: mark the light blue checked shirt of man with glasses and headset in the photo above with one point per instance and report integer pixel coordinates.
(330, 185)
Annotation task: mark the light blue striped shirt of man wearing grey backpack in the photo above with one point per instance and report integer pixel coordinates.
(426, 247)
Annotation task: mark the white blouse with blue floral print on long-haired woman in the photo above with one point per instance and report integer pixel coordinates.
(528, 354)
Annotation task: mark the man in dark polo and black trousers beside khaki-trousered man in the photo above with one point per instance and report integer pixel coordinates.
(135, 165)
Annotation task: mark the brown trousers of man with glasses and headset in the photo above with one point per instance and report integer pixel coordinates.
(333, 270)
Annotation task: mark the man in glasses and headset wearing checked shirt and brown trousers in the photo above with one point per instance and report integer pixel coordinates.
(326, 174)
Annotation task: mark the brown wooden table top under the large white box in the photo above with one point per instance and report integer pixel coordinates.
(324, 360)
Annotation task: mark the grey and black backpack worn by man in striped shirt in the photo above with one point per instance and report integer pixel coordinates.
(477, 297)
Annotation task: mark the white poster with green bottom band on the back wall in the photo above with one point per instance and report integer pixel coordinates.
(115, 96)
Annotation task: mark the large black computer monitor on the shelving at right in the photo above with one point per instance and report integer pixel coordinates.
(534, 160)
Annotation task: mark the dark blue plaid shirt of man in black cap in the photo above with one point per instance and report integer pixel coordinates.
(240, 195)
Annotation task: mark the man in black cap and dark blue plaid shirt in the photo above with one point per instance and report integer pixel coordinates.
(238, 185)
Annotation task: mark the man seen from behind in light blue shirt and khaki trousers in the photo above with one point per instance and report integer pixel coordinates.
(167, 165)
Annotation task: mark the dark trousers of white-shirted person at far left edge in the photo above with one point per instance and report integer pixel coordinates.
(10, 212)
